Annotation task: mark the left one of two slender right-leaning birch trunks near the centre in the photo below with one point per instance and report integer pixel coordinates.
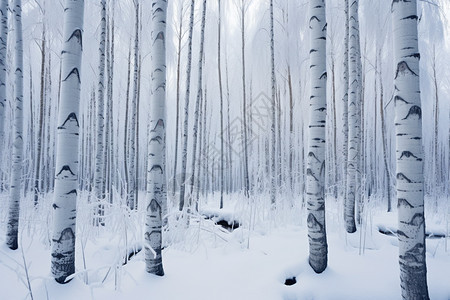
(186, 109)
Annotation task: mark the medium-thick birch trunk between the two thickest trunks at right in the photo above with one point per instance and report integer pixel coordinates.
(353, 119)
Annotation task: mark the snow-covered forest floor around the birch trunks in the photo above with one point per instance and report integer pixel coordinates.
(207, 261)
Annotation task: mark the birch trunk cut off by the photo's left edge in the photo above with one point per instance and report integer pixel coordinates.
(3, 47)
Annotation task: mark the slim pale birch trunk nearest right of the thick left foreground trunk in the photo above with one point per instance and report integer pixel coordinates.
(99, 179)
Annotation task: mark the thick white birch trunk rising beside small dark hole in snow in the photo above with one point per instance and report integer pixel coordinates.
(318, 248)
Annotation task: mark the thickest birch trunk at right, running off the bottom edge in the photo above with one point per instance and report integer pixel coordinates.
(409, 152)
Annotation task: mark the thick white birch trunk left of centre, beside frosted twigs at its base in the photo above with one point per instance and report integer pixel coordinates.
(156, 173)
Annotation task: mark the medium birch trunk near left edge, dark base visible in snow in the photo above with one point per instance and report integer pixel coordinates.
(17, 155)
